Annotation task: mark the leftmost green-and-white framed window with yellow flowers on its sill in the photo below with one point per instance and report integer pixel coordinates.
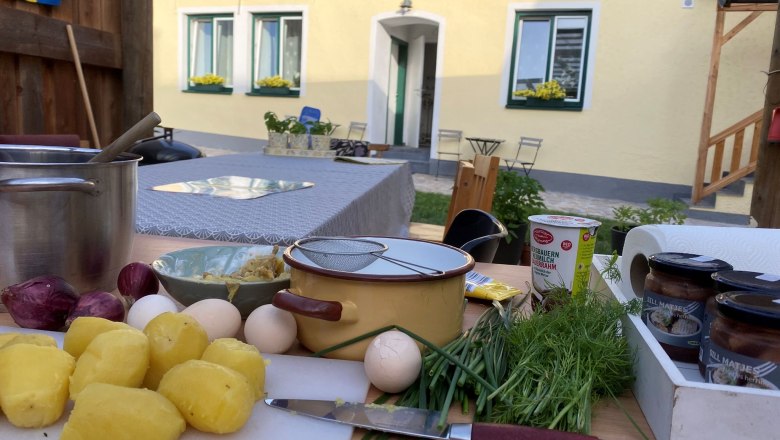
(210, 43)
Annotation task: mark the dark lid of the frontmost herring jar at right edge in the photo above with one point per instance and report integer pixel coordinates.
(762, 309)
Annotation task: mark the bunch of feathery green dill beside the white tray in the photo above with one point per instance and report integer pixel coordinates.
(562, 358)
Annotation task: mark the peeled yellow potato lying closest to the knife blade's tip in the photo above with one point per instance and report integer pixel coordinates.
(212, 398)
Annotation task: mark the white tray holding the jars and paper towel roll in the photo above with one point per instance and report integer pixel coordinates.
(676, 402)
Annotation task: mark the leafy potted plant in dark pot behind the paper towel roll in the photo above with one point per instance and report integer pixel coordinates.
(658, 211)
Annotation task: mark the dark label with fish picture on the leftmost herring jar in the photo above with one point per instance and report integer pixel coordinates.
(673, 321)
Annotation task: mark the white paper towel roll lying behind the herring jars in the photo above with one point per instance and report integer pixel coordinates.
(751, 249)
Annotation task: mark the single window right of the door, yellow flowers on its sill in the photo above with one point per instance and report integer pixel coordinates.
(550, 45)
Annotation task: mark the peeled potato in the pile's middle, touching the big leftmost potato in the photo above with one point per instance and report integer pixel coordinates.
(119, 357)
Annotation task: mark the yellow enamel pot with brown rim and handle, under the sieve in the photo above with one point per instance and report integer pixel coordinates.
(332, 306)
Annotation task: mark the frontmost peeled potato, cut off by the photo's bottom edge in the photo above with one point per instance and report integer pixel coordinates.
(104, 411)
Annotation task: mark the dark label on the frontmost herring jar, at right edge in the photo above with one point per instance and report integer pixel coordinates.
(728, 368)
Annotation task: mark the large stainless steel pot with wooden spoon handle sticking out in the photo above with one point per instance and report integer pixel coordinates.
(62, 216)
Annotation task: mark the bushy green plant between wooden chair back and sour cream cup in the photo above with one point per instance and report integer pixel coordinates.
(515, 198)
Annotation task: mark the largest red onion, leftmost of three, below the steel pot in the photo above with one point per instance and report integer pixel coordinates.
(41, 303)
